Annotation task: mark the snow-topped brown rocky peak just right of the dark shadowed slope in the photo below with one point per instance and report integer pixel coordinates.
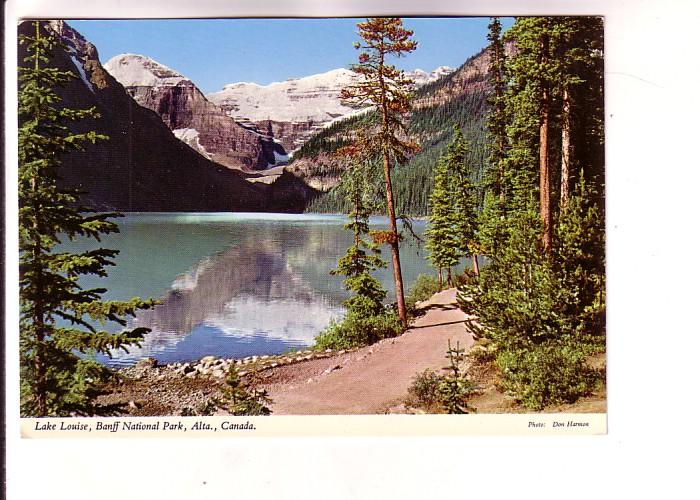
(193, 119)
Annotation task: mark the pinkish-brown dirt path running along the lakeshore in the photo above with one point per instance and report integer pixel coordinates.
(373, 379)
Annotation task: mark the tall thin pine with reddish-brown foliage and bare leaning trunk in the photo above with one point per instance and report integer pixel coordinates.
(387, 88)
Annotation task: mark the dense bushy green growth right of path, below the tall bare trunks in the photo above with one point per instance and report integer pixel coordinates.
(542, 312)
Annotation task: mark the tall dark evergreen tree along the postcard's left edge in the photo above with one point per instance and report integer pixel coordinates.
(57, 316)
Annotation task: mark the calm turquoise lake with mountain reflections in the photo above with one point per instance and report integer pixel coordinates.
(234, 284)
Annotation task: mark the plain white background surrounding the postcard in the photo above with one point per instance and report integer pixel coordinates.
(652, 180)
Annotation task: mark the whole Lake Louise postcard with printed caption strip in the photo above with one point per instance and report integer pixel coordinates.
(311, 226)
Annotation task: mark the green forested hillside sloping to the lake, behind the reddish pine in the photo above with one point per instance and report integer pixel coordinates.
(458, 98)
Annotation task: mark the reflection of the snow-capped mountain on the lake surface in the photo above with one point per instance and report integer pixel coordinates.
(249, 291)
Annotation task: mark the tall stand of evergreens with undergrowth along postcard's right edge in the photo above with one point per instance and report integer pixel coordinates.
(540, 302)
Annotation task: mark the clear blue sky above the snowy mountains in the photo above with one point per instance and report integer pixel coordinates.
(214, 52)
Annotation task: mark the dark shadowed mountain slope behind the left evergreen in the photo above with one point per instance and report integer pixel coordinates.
(142, 167)
